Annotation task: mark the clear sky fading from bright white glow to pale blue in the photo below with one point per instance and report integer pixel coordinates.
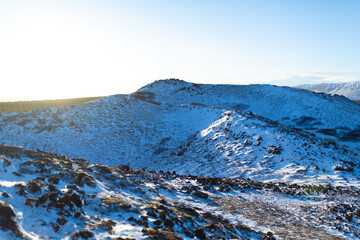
(73, 48)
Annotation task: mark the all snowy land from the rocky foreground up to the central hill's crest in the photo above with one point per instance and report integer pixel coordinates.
(178, 160)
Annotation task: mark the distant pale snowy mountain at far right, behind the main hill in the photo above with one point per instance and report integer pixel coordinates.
(349, 90)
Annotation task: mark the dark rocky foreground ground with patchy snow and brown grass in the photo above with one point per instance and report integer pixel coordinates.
(49, 196)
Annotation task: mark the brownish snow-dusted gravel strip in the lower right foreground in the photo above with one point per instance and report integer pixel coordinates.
(283, 223)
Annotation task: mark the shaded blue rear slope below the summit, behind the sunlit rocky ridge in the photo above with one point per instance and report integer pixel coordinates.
(328, 116)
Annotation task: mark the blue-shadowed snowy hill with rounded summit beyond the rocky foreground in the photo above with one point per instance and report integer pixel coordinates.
(207, 130)
